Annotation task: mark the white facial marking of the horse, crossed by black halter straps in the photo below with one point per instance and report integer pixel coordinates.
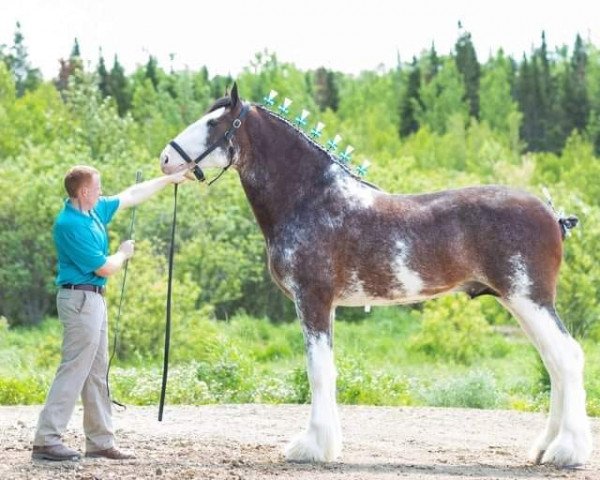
(193, 141)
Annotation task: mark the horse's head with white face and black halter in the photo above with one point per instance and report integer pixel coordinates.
(208, 142)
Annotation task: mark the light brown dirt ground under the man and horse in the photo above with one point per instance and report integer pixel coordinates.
(245, 442)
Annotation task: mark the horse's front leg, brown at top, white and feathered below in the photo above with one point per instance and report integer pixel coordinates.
(322, 439)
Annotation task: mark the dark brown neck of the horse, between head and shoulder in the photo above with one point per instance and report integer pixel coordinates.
(281, 170)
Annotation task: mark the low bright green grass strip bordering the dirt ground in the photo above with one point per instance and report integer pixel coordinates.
(252, 360)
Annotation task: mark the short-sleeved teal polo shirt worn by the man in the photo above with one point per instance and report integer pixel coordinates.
(81, 241)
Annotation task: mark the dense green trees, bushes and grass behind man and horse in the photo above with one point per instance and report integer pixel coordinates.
(438, 122)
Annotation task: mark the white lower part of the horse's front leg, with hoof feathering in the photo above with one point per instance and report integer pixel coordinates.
(322, 440)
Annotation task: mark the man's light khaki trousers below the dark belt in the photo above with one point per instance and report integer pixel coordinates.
(82, 370)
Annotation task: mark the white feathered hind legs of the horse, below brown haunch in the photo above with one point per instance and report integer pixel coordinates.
(566, 440)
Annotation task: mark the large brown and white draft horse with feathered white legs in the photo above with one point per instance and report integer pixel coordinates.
(332, 239)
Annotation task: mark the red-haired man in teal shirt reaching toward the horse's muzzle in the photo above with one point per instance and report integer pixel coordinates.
(84, 264)
